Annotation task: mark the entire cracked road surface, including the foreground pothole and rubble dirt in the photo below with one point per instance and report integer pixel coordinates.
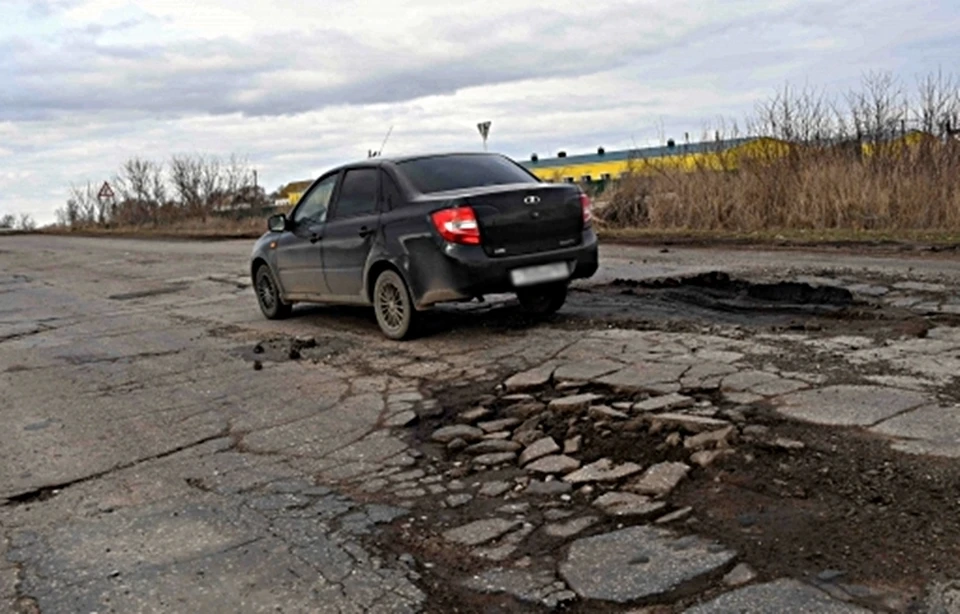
(670, 442)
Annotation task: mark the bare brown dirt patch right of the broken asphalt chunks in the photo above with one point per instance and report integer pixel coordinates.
(847, 502)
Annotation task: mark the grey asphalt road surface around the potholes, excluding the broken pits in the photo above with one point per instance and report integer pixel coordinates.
(147, 466)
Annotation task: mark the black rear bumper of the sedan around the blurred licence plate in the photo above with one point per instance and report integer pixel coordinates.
(458, 272)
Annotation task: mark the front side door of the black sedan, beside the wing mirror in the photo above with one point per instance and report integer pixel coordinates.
(299, 254)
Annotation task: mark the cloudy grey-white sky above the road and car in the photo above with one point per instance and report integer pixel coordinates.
(298, 87)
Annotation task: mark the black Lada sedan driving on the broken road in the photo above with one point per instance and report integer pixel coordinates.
(403, 234)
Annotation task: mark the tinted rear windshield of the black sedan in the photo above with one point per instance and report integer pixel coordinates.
(443, 173)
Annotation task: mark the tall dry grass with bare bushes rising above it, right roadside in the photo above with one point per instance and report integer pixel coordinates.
(876, 163)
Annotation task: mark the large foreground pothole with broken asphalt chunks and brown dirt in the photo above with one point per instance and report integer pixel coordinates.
(791, 500)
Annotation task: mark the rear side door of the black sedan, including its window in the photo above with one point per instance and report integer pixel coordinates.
(350, 232)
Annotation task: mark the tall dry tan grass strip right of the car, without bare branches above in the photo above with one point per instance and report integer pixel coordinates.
(815, 189)
